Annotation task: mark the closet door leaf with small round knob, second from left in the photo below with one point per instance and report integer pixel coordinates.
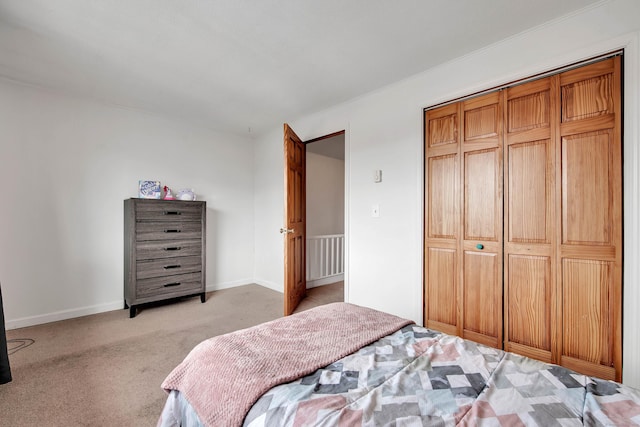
(482, 219)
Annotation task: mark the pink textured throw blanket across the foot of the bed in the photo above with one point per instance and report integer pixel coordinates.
(223, 377)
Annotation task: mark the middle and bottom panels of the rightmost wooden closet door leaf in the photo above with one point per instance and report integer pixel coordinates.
(591, 273)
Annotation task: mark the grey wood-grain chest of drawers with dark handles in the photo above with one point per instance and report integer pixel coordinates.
(164, 251)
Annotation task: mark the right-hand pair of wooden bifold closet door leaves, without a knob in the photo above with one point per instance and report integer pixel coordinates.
(563, 220)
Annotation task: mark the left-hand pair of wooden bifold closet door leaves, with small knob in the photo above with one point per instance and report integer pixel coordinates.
(463, 239)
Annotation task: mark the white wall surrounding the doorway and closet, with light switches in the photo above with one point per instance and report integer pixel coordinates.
(384, 131)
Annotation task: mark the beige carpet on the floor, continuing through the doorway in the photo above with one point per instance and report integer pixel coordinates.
(106, 369)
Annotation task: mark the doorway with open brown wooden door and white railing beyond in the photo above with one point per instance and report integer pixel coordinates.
(322, 255)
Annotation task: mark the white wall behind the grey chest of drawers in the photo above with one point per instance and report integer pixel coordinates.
(67, 164)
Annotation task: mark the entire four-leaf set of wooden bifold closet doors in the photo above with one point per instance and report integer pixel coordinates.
(559, 271)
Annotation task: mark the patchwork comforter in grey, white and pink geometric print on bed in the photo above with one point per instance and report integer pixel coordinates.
(417, 377)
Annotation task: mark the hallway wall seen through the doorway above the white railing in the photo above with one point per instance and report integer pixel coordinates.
(325, 195)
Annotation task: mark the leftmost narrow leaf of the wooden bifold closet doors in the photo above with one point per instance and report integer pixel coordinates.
(442, 219)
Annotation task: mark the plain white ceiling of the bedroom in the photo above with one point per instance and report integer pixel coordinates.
(244, 66)
